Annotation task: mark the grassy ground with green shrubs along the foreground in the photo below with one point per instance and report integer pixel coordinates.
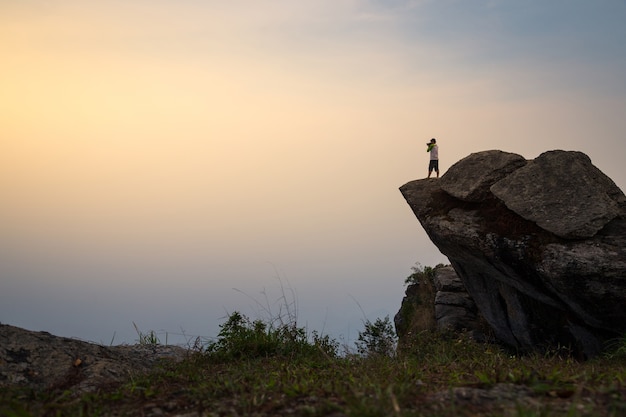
(256, 369)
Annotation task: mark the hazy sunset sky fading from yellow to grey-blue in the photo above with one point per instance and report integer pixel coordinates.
(166, 163)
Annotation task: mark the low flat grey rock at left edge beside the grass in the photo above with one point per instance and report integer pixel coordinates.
(43, 361)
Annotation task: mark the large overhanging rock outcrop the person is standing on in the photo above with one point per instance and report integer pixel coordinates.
(539, 245)
